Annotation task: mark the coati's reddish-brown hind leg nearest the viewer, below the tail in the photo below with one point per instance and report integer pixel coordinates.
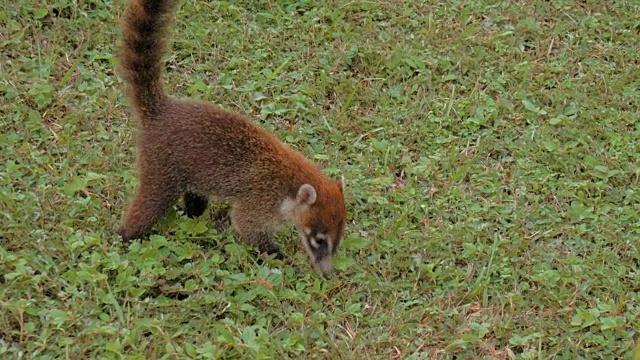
(153, 199)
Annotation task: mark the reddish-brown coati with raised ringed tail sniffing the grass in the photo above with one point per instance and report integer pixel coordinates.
(195, 149)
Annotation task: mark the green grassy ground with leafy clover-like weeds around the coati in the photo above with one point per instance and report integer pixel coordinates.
(490, 150)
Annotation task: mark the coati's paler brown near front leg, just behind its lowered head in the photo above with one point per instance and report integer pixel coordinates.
(251, 225)
